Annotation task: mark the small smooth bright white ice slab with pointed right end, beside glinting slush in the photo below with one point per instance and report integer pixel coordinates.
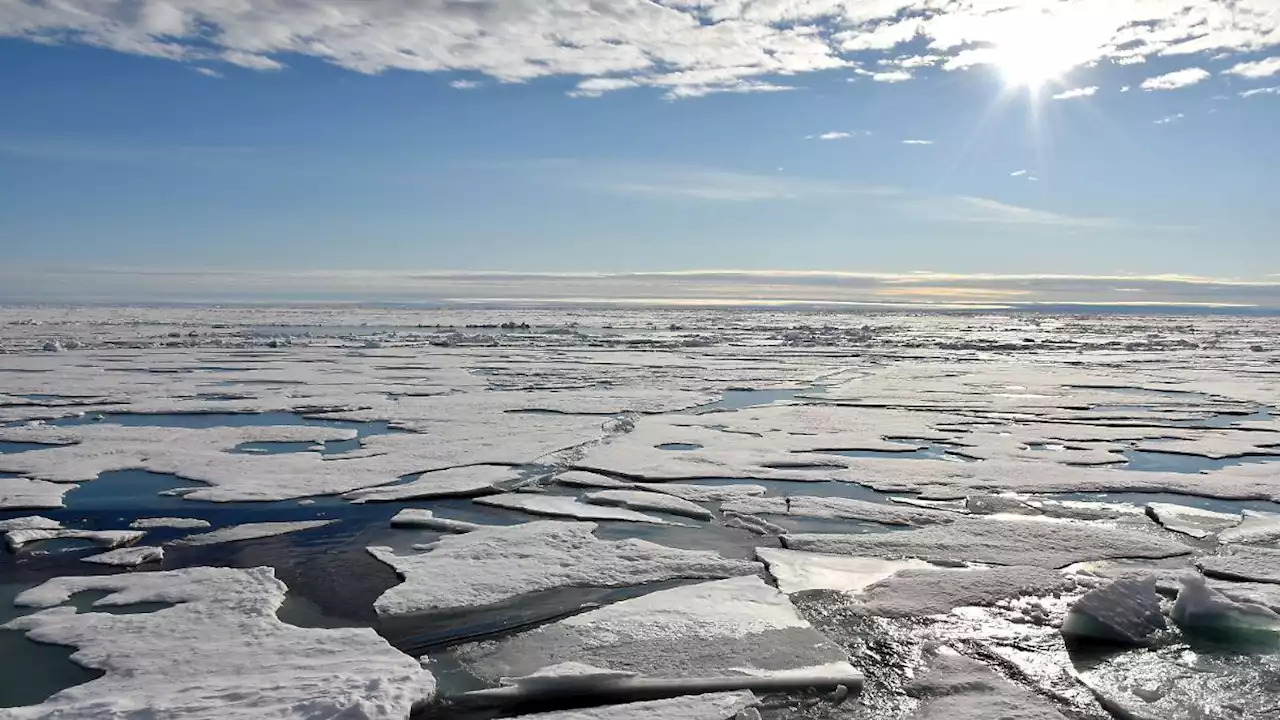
(797, 572)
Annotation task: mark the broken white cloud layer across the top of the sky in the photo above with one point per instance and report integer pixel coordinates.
(683, 48)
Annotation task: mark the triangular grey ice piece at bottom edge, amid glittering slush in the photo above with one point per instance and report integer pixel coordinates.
(958, 689)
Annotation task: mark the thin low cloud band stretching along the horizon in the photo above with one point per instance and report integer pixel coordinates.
(682, 288)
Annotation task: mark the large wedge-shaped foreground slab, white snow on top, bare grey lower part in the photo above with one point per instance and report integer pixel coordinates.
(723, 628)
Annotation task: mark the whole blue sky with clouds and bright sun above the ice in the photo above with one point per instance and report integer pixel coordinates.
(899, 151)
